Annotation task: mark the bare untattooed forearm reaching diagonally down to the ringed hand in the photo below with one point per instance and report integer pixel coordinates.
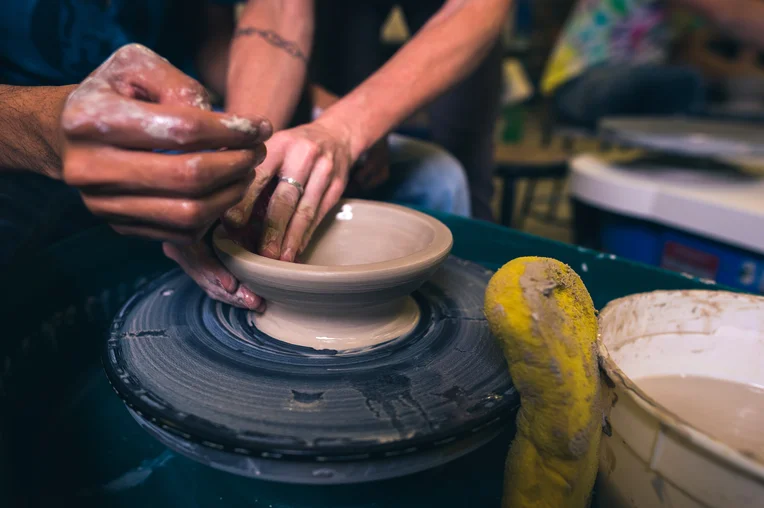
(443, 52)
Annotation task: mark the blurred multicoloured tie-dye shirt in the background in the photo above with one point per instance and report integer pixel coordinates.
(608, 31)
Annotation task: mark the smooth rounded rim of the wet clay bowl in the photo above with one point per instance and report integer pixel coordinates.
(435, 252)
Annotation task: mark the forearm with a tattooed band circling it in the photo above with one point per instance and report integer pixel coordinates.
(269, 57)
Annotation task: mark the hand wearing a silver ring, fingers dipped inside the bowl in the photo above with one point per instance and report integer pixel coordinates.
(317, 157)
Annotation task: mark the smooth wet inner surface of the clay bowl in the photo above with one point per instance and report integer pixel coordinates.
(362, 233)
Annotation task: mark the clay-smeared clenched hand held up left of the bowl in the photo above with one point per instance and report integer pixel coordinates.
(134, 104)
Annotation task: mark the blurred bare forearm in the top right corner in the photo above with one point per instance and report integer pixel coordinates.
(740, 19)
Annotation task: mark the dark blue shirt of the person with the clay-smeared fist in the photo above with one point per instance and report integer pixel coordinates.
(60, 42)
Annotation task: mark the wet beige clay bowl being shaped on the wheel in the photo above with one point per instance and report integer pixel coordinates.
(351, 288)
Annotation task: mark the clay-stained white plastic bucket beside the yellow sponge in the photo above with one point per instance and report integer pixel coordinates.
(654, 459)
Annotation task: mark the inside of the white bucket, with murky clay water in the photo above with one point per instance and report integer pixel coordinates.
(696, 355)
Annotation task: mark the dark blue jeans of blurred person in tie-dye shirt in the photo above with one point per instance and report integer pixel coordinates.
(628, 90)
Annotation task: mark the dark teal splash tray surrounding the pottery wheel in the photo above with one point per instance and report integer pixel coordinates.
(64, 434)
